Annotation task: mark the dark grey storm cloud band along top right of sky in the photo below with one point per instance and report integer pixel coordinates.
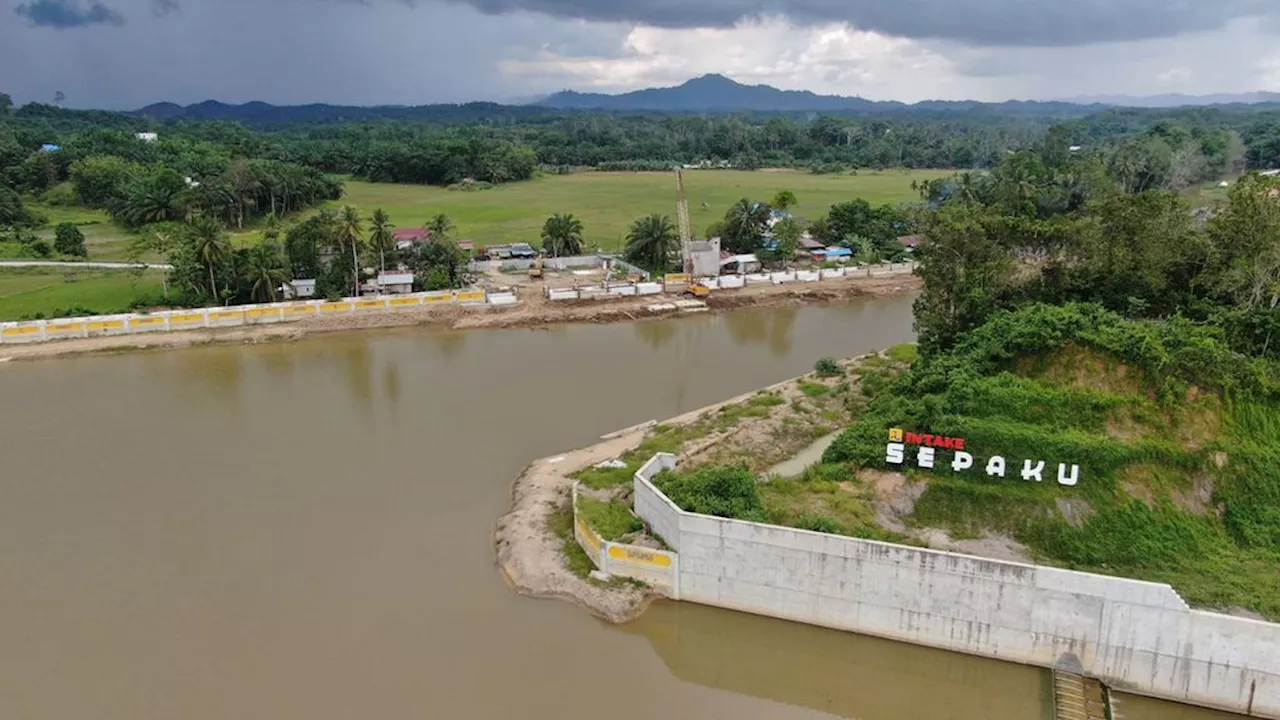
(979, 22)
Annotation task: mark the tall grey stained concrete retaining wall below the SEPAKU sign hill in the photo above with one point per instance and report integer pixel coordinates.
(1133, 636)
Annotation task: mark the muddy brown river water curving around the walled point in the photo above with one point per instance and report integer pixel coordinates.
(304, 531)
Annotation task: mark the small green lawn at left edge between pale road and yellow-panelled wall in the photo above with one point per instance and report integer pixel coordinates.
(26, 293)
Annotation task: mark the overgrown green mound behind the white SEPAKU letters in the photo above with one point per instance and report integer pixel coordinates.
(1178, 441)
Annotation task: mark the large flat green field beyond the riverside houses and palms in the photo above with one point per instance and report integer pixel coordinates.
(607, 203)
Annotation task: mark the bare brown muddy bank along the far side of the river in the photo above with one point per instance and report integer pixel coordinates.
(532, 312)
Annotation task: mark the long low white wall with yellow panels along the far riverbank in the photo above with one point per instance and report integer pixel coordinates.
(172, 321)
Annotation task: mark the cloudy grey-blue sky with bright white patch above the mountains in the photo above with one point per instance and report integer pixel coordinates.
(124, 54)
